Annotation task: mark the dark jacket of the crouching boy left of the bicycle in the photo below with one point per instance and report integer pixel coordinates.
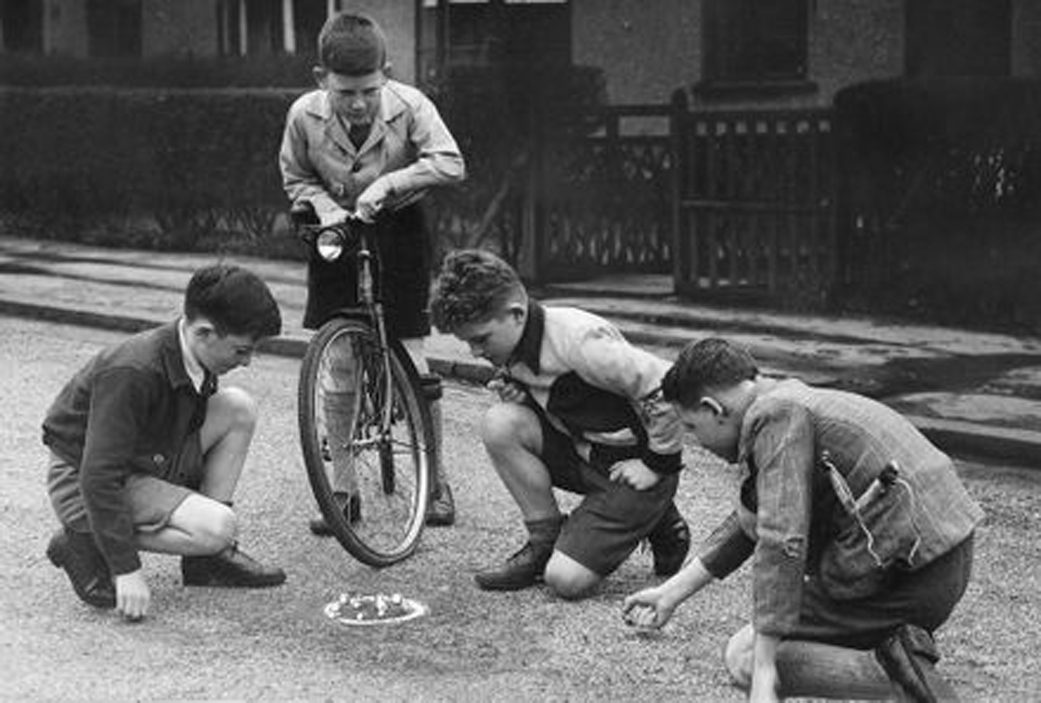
(130, 410)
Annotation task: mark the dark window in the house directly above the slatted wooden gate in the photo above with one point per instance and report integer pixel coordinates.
(755, 41)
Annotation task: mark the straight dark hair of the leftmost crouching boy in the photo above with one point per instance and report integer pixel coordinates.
(235, 300)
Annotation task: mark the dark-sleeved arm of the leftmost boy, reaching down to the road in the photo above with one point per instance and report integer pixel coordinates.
(119, 400)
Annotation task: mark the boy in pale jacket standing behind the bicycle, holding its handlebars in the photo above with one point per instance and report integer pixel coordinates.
(367, 144)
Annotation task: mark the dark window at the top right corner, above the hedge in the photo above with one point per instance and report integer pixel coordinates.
(959, 38)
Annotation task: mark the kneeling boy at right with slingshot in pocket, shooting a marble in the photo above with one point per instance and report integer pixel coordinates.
(860, 529)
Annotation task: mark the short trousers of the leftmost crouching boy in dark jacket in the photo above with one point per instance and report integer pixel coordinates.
(151, 500)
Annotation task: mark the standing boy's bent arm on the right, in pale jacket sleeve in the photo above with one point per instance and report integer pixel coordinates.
(439, 160)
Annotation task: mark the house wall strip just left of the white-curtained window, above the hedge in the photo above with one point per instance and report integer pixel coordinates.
(180, 28)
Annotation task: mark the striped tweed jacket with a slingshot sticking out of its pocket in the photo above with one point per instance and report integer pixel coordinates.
(791, 518)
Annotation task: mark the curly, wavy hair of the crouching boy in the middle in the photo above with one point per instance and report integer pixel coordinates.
(473, 286)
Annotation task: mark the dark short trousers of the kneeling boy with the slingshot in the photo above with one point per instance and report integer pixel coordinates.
(926, 598)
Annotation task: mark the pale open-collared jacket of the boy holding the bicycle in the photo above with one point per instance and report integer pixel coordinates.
(409, 145)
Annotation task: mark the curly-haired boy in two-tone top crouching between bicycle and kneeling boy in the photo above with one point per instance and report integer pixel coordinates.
(580, 412)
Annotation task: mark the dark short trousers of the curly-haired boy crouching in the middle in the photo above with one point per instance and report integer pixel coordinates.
(613, 519)
